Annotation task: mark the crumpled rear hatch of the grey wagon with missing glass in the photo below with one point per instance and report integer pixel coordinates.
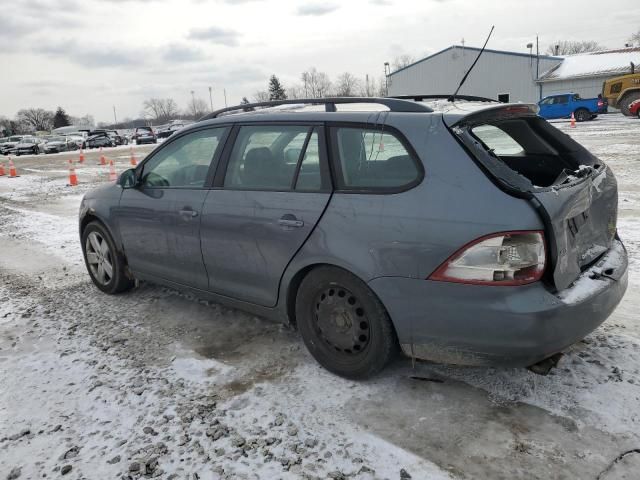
(575, 193)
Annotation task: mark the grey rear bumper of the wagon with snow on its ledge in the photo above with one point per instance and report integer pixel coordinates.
(508, 326)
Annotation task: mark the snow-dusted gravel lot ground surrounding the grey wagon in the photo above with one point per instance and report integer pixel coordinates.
(157, 384)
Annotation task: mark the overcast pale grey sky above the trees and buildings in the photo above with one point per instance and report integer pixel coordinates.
(89, 55)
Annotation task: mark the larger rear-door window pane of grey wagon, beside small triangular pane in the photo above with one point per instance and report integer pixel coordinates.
(265, 157)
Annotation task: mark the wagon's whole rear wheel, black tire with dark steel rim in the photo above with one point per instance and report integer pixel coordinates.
(343, 324)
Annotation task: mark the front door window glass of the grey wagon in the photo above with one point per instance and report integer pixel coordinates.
(184, 162)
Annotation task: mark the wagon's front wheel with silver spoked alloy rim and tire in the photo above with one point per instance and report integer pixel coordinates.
(94, 238)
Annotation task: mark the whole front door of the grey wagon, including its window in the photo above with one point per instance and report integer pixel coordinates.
(159, 221)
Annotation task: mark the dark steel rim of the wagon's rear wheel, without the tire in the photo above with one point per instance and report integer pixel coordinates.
(341, 321)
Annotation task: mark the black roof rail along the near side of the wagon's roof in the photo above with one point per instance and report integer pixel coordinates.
(394, 104)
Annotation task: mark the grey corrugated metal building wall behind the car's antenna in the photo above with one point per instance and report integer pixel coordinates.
(495, 73)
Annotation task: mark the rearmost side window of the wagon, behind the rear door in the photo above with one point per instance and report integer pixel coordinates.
(373, 158)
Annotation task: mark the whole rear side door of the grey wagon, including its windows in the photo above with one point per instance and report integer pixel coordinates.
(269, 193)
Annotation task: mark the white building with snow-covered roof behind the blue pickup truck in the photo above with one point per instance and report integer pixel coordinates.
(584, 74)
